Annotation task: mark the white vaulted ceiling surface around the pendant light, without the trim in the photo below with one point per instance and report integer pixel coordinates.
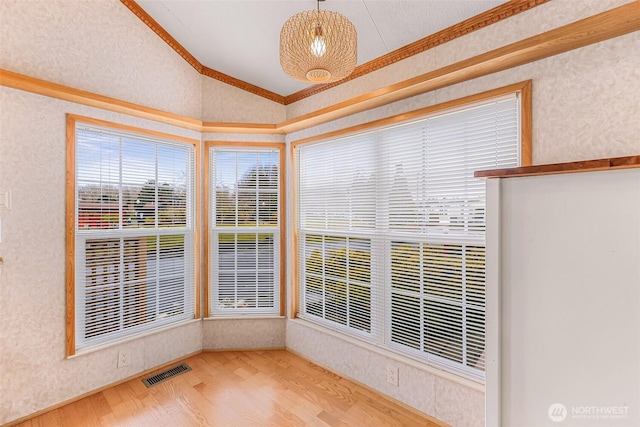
(240, 38)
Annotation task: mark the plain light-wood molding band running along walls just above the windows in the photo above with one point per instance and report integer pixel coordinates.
(612, 23)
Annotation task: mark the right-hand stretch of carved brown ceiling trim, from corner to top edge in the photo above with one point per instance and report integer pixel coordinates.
(470, 25)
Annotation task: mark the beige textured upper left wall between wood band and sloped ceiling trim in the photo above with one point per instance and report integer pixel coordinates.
(99, 46)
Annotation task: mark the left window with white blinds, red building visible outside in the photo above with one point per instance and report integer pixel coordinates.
(131, 202)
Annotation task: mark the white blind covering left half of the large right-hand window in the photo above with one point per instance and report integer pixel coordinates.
(337, 206)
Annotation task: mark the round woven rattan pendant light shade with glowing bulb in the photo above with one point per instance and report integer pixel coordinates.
(318, 46)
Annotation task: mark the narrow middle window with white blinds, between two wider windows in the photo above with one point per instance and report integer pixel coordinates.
(244, 237)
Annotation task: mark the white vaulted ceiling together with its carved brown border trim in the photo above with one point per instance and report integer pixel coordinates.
(237, 41)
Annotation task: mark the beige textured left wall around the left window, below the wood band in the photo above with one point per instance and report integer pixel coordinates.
(34, 372)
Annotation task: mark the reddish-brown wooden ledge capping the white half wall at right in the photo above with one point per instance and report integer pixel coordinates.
(558, 168)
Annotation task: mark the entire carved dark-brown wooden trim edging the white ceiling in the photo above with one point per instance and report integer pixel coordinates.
(467, 26)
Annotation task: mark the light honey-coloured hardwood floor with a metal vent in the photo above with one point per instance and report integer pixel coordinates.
(237, 388)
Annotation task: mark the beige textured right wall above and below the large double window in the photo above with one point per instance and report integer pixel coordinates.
(585, 106)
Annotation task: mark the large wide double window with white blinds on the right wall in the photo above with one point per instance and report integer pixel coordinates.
(391, 228)
